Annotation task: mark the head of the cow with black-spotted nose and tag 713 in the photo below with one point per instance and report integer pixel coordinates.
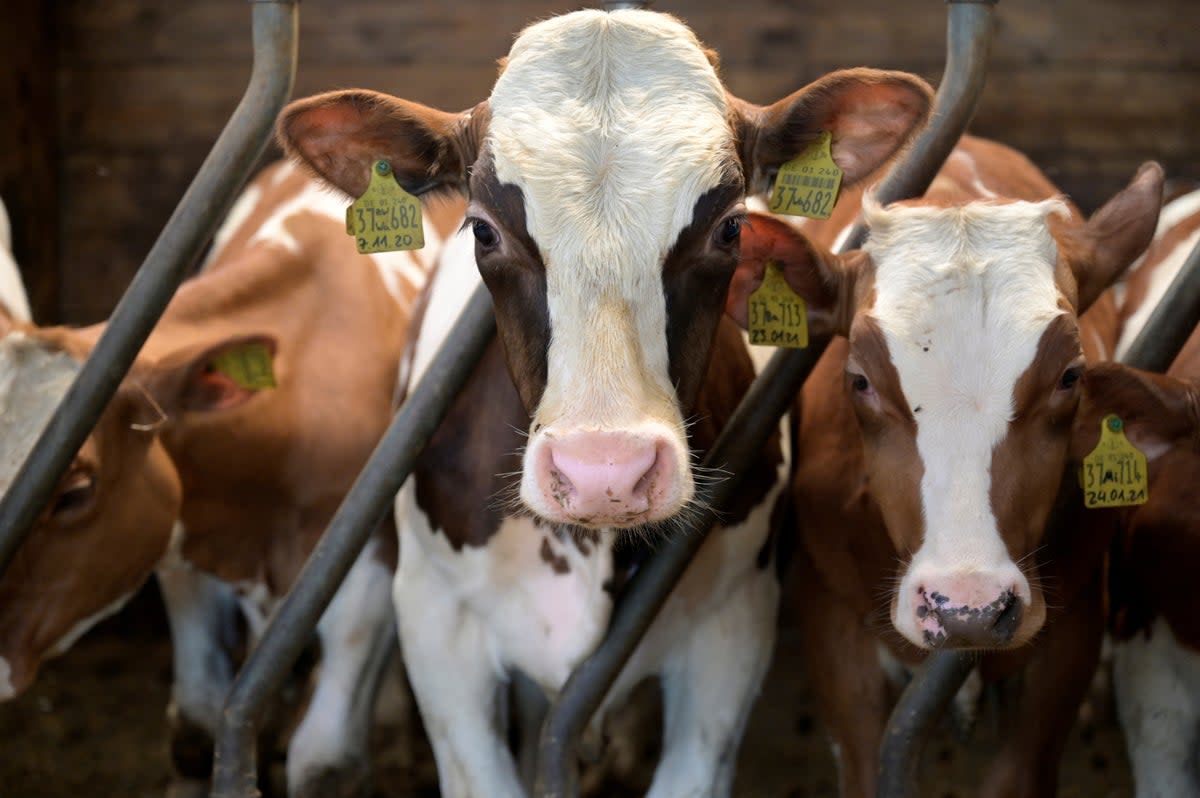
(964, 373)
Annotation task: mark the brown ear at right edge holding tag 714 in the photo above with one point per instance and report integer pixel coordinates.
(1157, 411)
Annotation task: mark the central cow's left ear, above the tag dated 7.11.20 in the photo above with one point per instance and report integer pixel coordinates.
(340, 136)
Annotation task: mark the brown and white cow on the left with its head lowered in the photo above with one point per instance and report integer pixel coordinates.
(233, 482)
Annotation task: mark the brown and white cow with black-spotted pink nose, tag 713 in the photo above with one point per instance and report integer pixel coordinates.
(933, 443)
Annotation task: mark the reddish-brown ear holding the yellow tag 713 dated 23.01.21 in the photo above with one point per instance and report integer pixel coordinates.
(827, 283)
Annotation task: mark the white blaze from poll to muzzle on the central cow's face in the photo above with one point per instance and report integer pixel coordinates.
(613, 125)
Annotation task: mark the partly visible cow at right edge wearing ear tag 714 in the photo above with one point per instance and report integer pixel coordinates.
(1156, 652)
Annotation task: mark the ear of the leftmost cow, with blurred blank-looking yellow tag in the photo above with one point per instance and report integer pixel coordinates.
(211, 376)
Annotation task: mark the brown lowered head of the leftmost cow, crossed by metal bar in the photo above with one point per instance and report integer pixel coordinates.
(109, 521)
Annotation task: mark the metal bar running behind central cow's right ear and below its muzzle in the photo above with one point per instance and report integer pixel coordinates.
(969, 34)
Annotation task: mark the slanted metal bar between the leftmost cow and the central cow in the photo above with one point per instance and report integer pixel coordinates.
(361, 513)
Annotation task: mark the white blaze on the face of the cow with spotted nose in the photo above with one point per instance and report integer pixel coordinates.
(963, 298)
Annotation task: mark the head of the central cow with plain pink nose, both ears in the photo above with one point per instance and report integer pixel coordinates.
(607, 175)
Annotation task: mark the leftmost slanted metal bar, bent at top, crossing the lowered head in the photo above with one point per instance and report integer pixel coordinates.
(190, 227)
